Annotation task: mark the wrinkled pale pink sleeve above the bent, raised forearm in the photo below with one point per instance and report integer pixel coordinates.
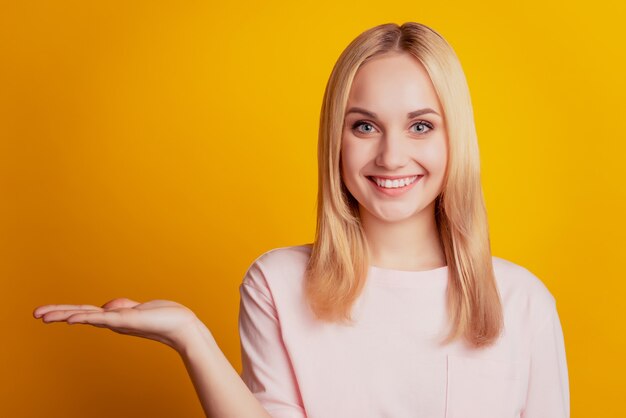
(266, 367)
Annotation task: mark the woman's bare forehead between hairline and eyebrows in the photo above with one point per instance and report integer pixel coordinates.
(393, 83)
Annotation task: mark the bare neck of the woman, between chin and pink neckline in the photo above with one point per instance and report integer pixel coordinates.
(412, 244)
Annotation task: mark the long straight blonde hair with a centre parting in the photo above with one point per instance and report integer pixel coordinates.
(339, 262)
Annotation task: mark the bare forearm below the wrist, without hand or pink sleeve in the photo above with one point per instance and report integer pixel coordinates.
(221, 391)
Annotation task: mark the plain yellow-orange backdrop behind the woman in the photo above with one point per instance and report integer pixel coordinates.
(155, 149)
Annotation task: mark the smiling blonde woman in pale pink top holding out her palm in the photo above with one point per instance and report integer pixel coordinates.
(397, 309)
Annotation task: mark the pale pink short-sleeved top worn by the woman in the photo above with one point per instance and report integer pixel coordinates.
(389, 364)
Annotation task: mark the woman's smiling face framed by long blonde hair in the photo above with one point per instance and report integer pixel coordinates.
(394, 142)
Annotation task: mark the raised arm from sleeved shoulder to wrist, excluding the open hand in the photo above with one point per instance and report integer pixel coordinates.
(267, 386)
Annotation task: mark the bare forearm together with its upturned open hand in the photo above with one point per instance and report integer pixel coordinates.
(220, 389)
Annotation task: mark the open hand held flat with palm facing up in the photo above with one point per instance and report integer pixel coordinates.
(160, 320)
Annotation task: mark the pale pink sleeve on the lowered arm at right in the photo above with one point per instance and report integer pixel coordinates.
(548, 386)
